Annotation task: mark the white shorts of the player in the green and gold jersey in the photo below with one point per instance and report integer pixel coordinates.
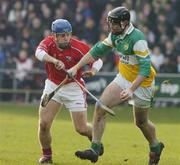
(142, 96)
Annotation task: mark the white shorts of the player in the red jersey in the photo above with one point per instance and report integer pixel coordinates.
(71, 95)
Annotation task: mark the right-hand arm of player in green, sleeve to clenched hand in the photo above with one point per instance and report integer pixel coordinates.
(142, 53)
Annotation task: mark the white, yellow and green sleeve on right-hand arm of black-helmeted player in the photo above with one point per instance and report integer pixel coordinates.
(143, 56)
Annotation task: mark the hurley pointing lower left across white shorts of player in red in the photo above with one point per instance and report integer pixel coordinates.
(47, 97)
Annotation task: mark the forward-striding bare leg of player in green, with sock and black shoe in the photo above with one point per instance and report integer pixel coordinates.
(110, 97)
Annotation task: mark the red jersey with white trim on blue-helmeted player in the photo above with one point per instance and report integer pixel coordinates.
(69, 56)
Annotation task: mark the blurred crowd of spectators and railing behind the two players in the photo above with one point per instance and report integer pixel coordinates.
(24, 23)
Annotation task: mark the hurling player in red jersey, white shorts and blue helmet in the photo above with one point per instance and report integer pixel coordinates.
(61, 50)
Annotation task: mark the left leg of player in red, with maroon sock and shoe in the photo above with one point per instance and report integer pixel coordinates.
(46, 117)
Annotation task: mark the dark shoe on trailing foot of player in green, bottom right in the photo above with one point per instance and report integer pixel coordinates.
(154, 157)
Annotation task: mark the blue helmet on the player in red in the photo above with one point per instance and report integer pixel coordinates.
(61, 26)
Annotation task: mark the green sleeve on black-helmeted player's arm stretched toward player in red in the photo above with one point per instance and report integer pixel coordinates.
(101, 48)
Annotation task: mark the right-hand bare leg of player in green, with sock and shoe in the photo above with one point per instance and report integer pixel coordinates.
(149, 132)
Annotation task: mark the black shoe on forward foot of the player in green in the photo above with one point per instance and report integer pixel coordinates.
(90, 154)
